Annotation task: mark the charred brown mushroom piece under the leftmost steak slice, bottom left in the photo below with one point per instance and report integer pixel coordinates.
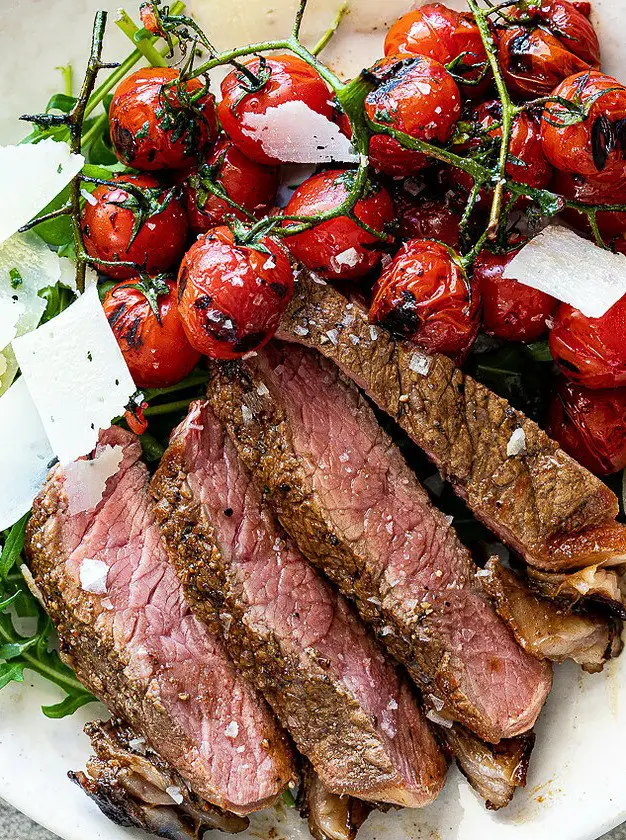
(135, 787)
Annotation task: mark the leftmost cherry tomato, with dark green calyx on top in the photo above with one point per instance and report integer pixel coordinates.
(146, 226)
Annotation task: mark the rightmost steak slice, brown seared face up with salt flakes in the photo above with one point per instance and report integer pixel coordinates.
(548, 508)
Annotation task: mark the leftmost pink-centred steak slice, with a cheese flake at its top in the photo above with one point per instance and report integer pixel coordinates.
(140, 650)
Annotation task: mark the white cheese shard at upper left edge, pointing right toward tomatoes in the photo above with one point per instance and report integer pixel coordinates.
(31, 175)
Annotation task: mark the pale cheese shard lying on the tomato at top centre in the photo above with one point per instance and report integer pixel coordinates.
(294, 133)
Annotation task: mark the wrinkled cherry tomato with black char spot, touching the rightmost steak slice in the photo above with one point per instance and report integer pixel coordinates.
(424, 295)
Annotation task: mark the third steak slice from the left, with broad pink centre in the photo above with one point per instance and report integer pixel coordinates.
(343, 491)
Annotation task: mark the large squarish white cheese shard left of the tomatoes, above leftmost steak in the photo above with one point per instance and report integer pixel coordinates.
(77, 376)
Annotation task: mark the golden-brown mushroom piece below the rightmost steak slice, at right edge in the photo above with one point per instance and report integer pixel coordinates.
(548, 629)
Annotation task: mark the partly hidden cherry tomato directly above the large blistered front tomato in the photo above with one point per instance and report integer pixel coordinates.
(249, 184)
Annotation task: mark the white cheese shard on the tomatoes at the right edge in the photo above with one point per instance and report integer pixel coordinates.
(571, 269)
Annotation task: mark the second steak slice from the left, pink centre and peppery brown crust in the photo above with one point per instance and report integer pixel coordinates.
(298, 640)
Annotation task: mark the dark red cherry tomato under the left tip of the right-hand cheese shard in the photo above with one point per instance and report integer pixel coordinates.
(511, 310)
